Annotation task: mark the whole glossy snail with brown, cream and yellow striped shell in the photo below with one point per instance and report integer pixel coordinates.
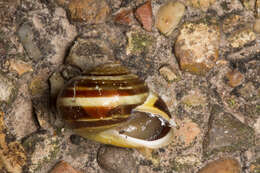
(113, 106)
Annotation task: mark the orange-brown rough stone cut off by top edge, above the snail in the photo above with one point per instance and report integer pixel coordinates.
(89, 11)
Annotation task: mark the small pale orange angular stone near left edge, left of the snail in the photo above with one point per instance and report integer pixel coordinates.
(20, 67)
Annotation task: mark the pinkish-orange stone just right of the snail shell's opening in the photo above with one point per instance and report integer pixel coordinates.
(187, 133)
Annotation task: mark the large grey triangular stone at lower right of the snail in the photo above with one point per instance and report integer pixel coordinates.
(226, 133)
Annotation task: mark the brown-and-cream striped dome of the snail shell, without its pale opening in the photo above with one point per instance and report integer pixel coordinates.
(105, 97)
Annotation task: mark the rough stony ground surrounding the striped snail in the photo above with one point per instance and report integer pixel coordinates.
(206, 68)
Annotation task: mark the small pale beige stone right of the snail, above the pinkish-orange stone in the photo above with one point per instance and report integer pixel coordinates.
(194, 98)
